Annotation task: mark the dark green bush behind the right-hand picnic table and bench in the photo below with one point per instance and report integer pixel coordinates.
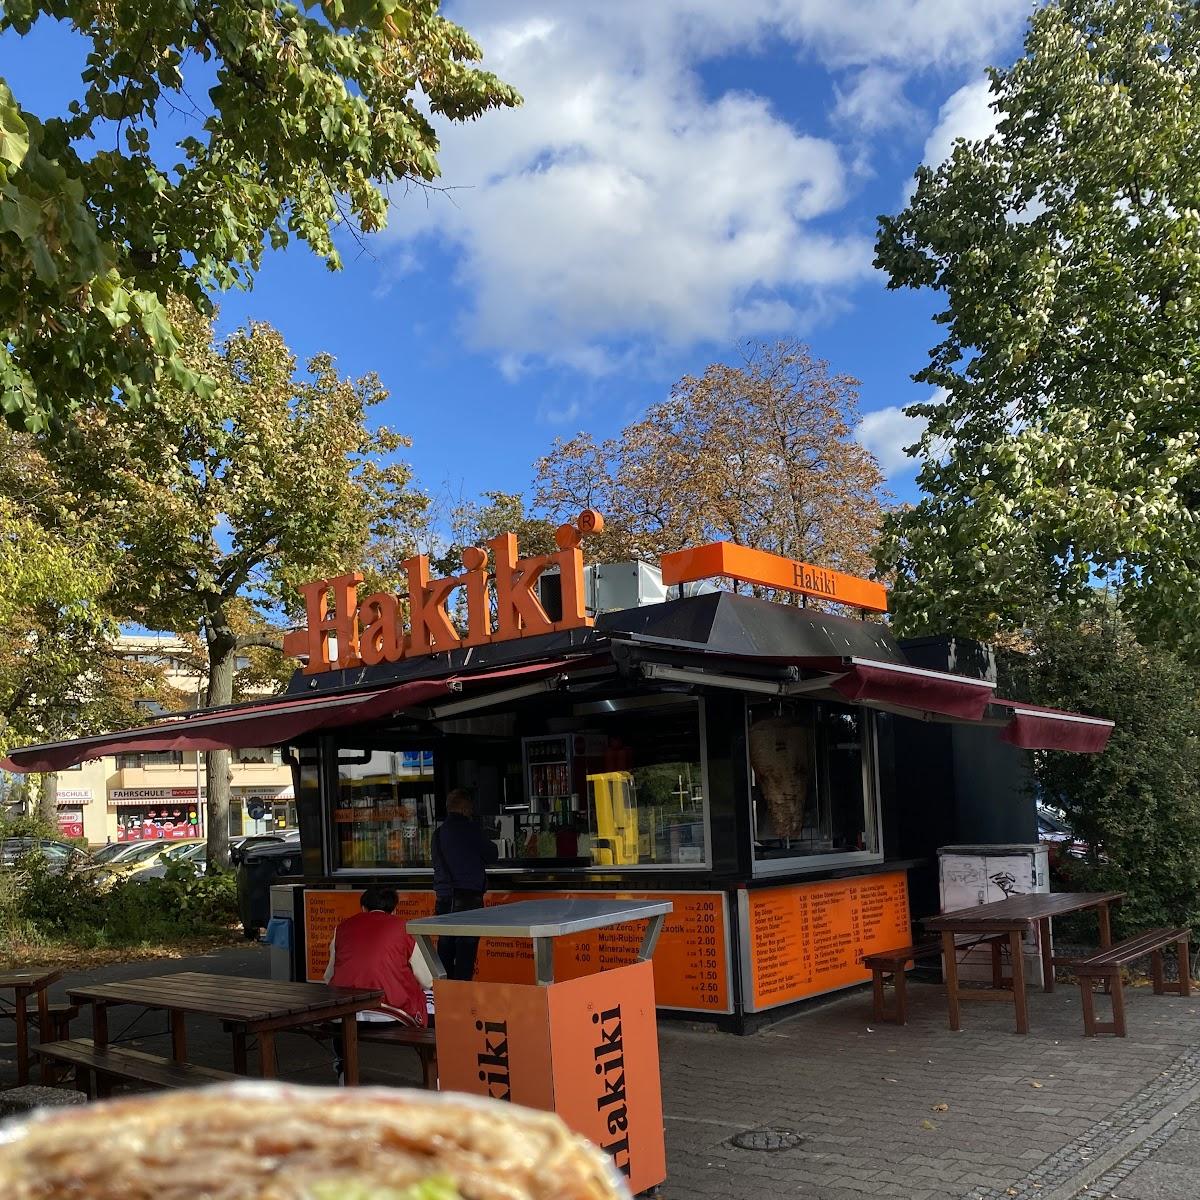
(1138, 805)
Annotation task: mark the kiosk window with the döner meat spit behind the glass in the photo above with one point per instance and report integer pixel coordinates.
(813, 775)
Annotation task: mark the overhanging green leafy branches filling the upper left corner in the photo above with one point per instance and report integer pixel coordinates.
(311, 113)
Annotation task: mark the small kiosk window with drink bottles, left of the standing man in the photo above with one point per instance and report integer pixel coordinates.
(383, 809)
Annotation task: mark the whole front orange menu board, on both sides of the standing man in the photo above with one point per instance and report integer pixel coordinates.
(692, 964)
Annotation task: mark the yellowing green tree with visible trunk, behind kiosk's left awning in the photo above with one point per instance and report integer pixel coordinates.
(221, 507)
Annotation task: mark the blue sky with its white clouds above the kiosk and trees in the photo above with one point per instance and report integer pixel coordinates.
(685, 175)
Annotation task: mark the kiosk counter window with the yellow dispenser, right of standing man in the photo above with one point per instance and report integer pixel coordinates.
(628, 790)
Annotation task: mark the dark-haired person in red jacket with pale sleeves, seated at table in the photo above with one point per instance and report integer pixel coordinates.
(374, 950)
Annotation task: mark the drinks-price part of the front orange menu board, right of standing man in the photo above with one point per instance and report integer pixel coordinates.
(692, 964)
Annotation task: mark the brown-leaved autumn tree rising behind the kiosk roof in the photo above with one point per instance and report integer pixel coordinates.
(760, 453)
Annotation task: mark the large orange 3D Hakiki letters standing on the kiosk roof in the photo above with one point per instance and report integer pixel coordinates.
(344, 632)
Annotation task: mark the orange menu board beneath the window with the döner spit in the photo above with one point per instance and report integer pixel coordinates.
(811, 938)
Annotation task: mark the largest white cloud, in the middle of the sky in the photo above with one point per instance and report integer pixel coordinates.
(626, 211)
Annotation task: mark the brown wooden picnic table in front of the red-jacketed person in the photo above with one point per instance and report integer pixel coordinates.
(248, 1007)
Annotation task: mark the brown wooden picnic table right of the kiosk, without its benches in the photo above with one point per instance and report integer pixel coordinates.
(1016, 916)
